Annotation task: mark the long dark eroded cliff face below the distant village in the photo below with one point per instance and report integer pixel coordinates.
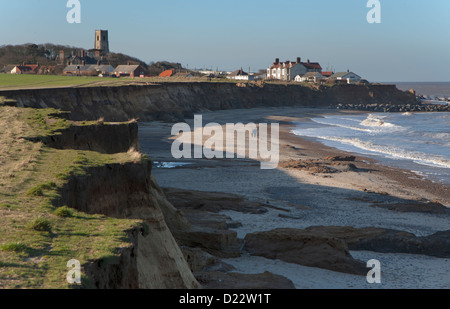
(174, 101)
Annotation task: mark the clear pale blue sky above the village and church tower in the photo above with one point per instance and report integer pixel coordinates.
(411, 44)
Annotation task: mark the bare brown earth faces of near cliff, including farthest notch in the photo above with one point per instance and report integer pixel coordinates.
(123, 188)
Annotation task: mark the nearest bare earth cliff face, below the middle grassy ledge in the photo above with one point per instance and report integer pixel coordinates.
(129, 191)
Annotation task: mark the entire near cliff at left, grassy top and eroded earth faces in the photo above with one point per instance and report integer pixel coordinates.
(64, 198)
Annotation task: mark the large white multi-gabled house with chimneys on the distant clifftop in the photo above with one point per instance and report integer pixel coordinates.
(289, 70)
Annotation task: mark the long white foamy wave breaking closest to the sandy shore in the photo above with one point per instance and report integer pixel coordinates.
(394, 152)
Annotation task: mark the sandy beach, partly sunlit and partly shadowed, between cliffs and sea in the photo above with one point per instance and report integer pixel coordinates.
(310, 188)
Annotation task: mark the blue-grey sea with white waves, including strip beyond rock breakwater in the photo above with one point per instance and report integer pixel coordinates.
(419, 142)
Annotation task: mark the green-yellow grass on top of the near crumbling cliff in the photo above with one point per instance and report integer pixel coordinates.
(37, 239)
